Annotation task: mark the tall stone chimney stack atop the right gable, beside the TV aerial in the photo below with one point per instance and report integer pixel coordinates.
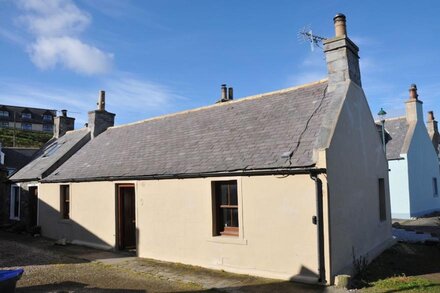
(341, 55)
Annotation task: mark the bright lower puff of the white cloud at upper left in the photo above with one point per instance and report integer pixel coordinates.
(46, 53)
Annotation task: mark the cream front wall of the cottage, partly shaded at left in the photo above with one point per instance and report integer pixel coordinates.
(277, 238)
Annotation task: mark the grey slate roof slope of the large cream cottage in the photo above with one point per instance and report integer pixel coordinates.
(246, 134)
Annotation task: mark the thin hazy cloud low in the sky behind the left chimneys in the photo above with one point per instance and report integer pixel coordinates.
(129, 97)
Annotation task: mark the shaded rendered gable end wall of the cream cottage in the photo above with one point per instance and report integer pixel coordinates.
(355, 162)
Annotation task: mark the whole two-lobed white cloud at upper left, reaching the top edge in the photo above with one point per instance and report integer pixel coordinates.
(56, 25)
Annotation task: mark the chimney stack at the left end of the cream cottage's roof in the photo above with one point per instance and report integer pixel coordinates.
(100, 119)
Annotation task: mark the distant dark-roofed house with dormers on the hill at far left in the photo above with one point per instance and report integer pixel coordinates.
(27, 118)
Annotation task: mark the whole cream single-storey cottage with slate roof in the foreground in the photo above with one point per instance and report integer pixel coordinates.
(290, 184)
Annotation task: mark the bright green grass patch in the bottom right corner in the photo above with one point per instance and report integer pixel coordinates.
(404, 284)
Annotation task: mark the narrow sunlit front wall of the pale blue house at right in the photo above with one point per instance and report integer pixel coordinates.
(399, 188)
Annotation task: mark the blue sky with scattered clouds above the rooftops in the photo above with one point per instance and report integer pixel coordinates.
(157, 57)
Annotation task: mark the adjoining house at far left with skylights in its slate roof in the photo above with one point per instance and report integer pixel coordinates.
(22, 202)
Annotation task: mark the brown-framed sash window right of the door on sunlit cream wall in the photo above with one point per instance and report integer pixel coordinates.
(225, 208)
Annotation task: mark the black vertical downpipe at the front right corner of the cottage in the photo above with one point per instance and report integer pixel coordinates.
(319, 221)
